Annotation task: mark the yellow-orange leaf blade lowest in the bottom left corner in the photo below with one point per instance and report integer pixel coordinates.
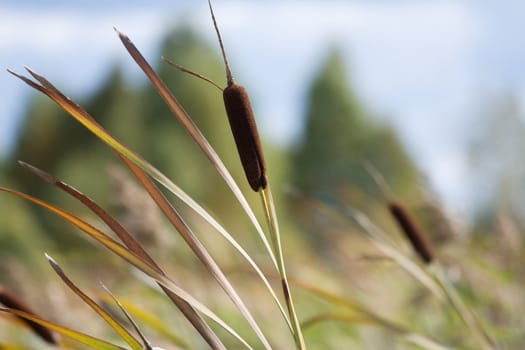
(88, 340)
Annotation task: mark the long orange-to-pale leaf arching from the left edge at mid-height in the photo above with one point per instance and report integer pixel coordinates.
(131, 258)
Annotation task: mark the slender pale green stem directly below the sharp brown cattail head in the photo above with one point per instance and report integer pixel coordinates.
(273, 224)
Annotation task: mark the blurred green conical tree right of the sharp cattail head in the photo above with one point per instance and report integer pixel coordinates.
(341, 137)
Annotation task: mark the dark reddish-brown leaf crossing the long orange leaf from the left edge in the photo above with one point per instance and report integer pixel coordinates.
(130, 241)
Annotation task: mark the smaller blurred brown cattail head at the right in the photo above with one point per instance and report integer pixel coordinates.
(414, 234)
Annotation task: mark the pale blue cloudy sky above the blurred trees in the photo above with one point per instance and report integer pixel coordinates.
(423, 66)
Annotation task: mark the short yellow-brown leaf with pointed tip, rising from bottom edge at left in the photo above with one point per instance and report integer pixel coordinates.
(113, 323)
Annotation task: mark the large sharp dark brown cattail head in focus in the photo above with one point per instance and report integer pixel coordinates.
(244, 129)
